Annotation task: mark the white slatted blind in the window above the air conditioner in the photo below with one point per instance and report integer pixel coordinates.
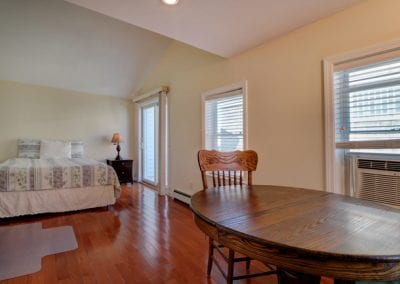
(367, 105)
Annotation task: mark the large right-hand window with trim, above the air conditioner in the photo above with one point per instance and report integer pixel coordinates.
(362, 109)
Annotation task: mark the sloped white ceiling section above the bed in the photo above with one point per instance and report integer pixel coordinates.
(58, 44)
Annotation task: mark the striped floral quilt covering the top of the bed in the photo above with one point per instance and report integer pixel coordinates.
(21, 174)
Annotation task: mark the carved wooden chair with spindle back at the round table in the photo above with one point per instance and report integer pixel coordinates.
(228, 168)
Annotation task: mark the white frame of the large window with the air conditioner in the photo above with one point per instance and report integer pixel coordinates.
(375, 53)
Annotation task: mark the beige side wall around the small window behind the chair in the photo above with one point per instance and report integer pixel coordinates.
(285, 98)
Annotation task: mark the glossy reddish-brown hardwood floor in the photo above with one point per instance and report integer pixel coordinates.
(143, 238)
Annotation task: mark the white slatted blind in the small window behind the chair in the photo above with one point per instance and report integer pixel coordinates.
(224, 120)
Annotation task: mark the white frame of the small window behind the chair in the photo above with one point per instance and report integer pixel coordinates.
(219, 92)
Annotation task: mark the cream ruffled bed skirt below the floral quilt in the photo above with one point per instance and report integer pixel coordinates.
(16, 203)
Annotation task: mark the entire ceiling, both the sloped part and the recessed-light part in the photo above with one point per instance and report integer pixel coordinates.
(110, 47)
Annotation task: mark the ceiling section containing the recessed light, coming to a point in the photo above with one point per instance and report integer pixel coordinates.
(222, 27)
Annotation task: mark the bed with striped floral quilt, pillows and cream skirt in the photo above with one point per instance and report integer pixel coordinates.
(36, 183)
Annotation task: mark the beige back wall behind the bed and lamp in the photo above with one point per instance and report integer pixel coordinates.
(28, 111)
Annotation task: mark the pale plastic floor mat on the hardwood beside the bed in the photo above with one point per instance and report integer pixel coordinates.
(23, 246)
